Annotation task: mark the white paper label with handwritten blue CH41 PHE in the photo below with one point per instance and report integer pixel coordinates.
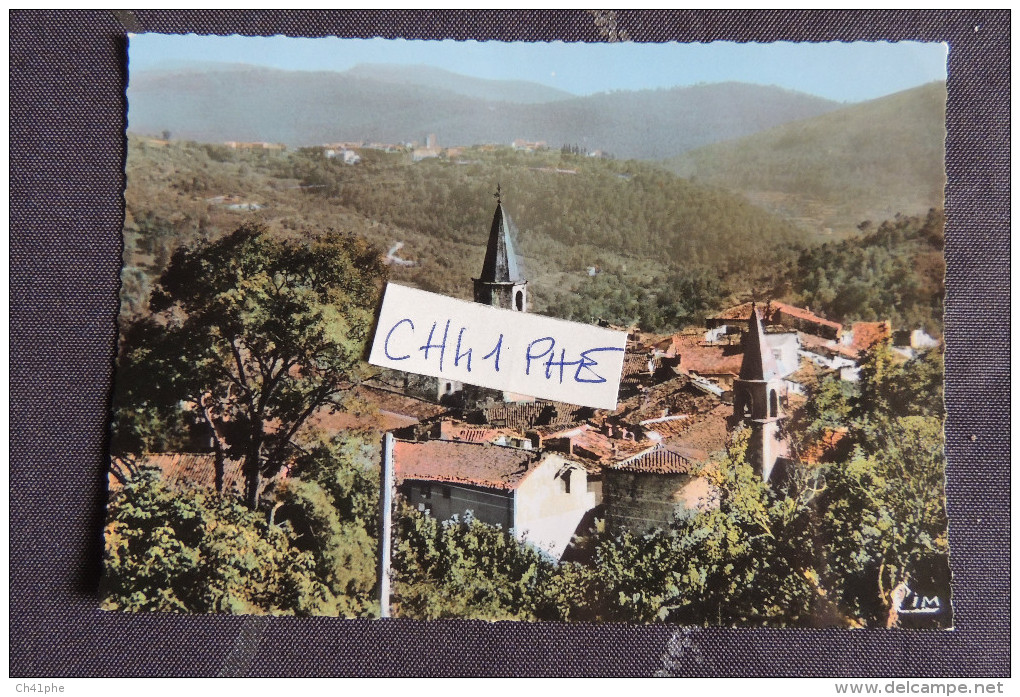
(438, 336)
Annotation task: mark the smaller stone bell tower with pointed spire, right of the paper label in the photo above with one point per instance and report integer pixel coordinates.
(757, 400)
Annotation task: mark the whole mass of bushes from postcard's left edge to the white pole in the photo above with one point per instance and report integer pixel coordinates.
(310, 552)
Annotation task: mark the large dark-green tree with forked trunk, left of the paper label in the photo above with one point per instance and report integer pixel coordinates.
(251, 335)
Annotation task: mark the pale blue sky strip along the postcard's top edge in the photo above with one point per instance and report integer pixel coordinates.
(846, 73)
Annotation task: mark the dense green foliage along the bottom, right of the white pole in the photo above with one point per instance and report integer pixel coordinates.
(825, 546)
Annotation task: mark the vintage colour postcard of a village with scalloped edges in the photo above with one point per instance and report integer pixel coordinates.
(629, 333)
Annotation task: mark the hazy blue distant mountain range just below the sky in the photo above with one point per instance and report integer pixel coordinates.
(400, 105)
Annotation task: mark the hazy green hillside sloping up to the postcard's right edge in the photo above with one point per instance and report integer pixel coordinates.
(866, 162)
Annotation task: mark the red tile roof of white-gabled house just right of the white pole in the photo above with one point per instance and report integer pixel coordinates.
(487, 466)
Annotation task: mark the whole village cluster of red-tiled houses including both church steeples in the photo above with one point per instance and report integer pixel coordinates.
(547, 470)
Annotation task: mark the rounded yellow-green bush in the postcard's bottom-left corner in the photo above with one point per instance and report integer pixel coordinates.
(187, 551)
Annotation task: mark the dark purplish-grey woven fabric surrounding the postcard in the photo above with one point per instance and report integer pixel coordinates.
(68, 77)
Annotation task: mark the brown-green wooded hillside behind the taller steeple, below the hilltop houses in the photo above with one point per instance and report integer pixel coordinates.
(645, 230)
